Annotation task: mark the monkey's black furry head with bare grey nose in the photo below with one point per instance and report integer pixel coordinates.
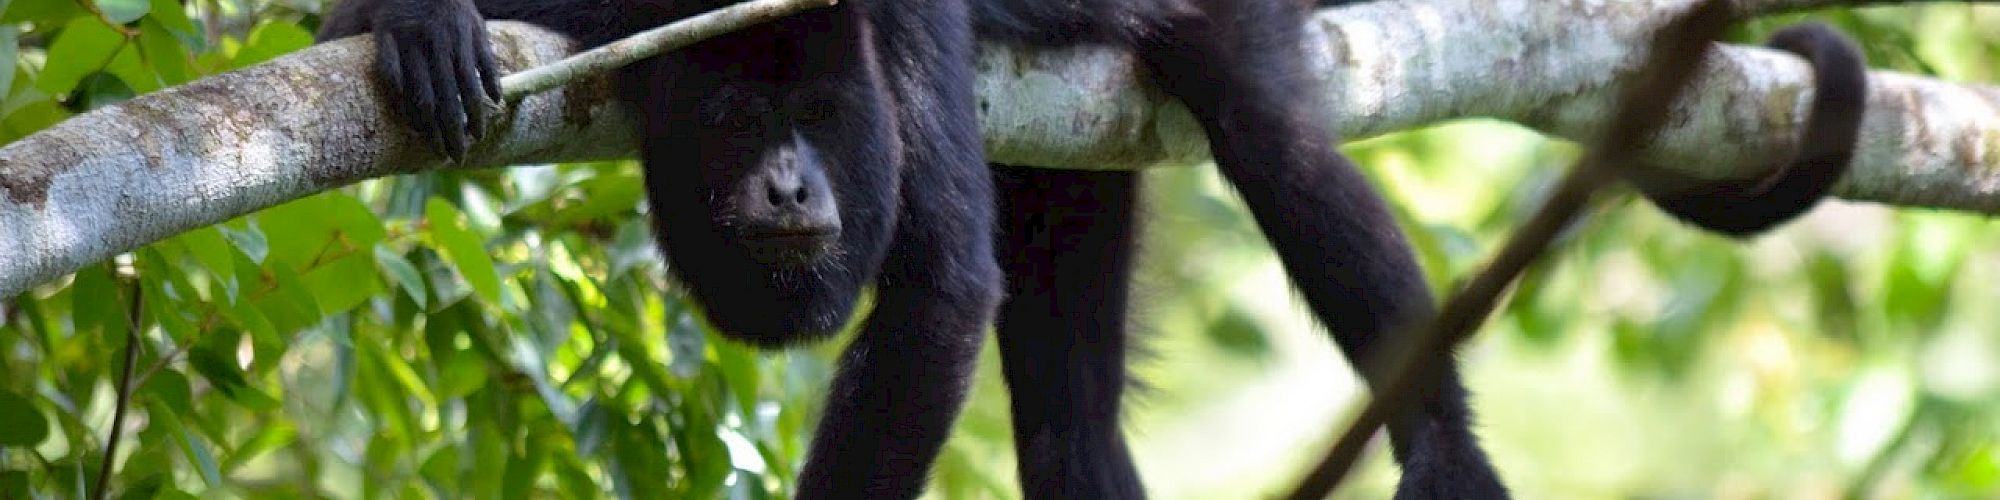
(773, 199)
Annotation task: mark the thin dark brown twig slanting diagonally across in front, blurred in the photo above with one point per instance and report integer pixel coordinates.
(1677, 55)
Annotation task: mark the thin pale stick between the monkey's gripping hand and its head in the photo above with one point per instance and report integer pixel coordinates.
(651, 43)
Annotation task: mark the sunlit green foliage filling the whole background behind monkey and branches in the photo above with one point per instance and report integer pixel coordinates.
(511, 333)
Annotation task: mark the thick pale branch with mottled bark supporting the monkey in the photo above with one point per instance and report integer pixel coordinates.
(129, 175)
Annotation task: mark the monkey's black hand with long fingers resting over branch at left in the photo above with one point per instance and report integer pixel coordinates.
(435, 57)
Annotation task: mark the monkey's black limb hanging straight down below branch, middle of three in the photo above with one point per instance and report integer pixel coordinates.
(1067, 253)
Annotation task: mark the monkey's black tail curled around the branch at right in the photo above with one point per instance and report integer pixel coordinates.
(1749, 207)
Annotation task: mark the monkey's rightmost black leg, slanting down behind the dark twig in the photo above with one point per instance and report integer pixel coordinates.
(1241, 71)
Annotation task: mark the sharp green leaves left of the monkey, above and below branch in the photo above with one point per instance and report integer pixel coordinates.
(409, 337)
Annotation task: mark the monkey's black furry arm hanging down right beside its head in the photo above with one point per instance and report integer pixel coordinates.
(905, 379)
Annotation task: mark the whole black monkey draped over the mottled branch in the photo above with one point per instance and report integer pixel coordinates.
(793, 163)
